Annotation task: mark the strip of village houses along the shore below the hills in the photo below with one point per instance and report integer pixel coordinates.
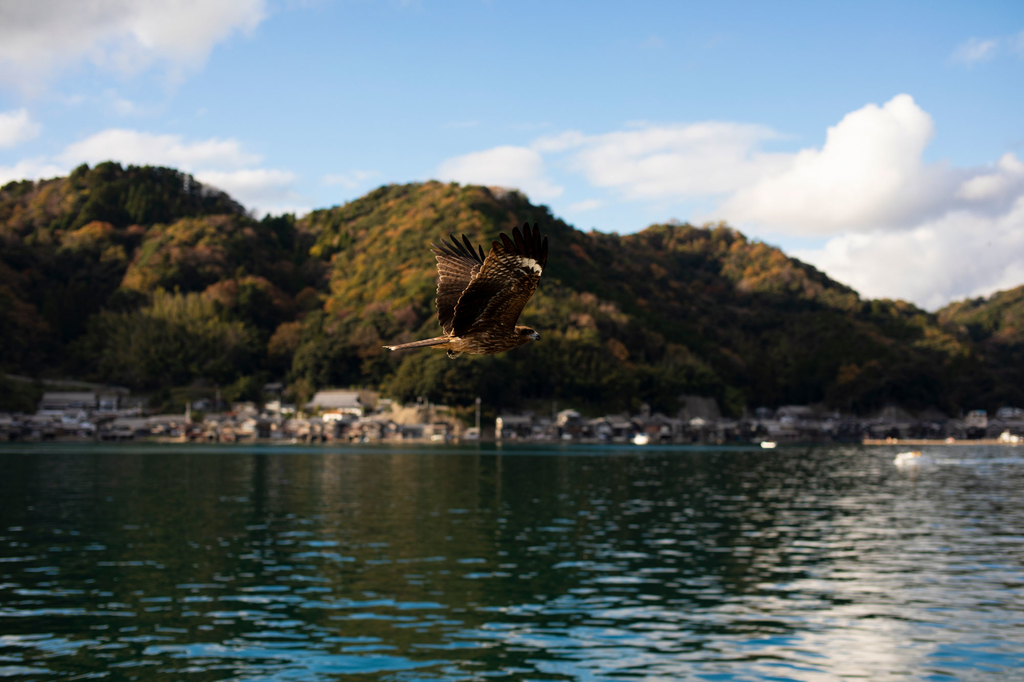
(112, 415)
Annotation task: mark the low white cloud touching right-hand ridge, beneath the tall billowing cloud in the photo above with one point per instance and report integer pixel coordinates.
(958, 255)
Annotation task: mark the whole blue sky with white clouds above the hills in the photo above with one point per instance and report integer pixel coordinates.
(880, 142)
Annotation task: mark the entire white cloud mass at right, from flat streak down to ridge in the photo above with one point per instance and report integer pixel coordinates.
(897, 226)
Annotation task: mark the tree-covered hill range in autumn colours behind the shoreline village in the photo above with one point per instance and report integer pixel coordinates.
(143, 277)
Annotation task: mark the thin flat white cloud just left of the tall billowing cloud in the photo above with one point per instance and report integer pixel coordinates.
(669, 161)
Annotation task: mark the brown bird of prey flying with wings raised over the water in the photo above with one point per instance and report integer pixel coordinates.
(480, 300)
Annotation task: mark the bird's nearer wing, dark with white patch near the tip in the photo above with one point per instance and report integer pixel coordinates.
(508, 278)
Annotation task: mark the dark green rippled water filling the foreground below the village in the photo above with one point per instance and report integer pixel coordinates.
(190, 564)
